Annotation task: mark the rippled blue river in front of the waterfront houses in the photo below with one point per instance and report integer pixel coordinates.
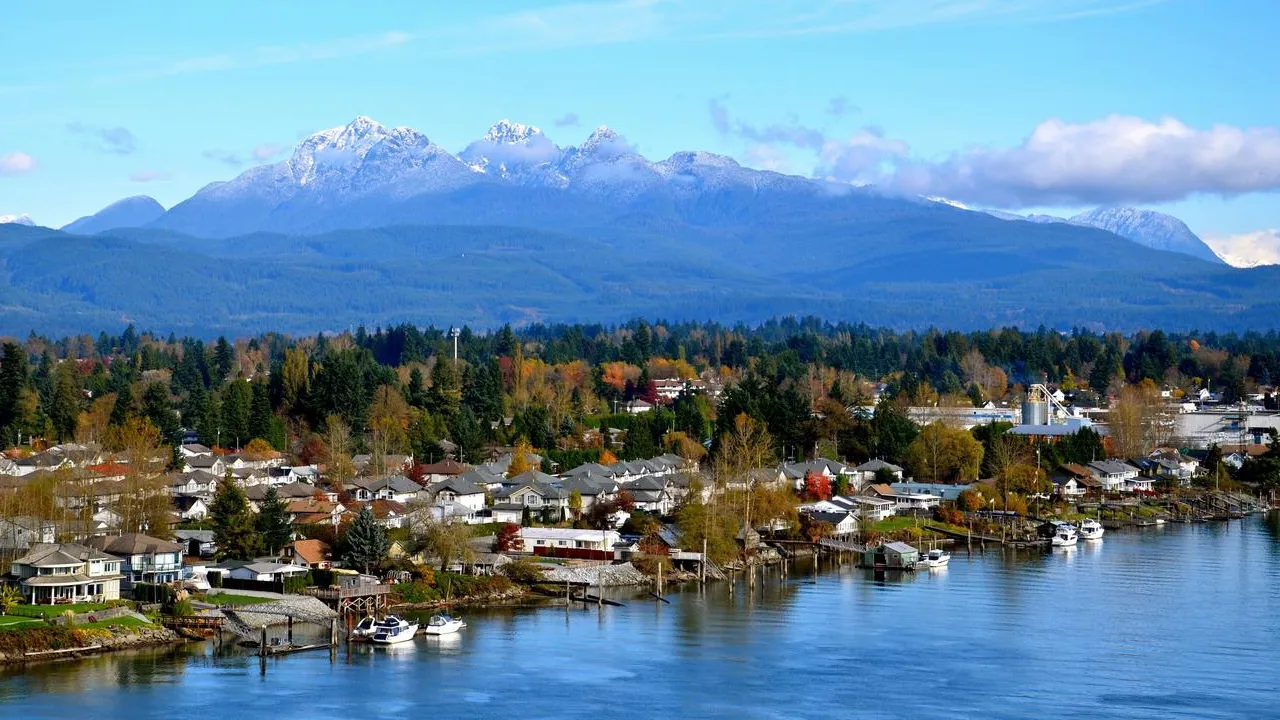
(1172, 622)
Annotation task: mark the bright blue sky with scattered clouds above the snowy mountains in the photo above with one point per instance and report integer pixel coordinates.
(1025, 106)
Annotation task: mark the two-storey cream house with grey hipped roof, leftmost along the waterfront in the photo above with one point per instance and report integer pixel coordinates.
(54, 575)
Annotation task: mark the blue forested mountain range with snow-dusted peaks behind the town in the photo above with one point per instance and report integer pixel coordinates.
(373, 225)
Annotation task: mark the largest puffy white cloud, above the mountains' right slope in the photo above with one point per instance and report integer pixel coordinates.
(1116, 160)
